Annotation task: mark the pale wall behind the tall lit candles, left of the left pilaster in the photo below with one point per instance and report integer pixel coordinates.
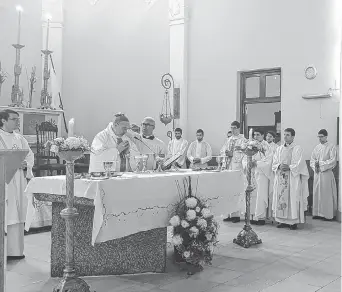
(31, 36)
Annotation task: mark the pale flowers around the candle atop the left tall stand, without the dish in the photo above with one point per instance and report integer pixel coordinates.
(58, 145)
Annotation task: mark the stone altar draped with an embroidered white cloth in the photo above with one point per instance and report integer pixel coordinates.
(122, 222)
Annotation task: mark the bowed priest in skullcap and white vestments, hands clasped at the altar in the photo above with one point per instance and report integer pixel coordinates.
(112, 145)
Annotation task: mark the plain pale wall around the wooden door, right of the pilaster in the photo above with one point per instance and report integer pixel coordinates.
(227, 36)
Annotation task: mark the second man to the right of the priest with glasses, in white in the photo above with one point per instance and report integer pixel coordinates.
(199, 152)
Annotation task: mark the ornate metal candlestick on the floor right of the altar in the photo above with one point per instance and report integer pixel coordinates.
(247, 237)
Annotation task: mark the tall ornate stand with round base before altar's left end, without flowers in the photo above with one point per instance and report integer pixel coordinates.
(70, 282)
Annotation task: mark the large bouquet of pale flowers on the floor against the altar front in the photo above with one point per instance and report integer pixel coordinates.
(194, 228)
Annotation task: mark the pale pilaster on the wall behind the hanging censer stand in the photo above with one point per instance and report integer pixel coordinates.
(178, 57)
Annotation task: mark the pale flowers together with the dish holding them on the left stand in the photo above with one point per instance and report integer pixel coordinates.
(76, 145)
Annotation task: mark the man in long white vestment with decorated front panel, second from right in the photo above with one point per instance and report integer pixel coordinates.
(290, 191)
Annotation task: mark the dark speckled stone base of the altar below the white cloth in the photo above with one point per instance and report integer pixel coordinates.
(137, 253)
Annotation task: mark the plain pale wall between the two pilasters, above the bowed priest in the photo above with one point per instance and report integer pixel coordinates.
(114, 55)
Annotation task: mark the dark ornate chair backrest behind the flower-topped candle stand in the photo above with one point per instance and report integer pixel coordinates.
(46, 131)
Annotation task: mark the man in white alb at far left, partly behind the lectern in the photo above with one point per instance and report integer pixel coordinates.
(16, 202)
